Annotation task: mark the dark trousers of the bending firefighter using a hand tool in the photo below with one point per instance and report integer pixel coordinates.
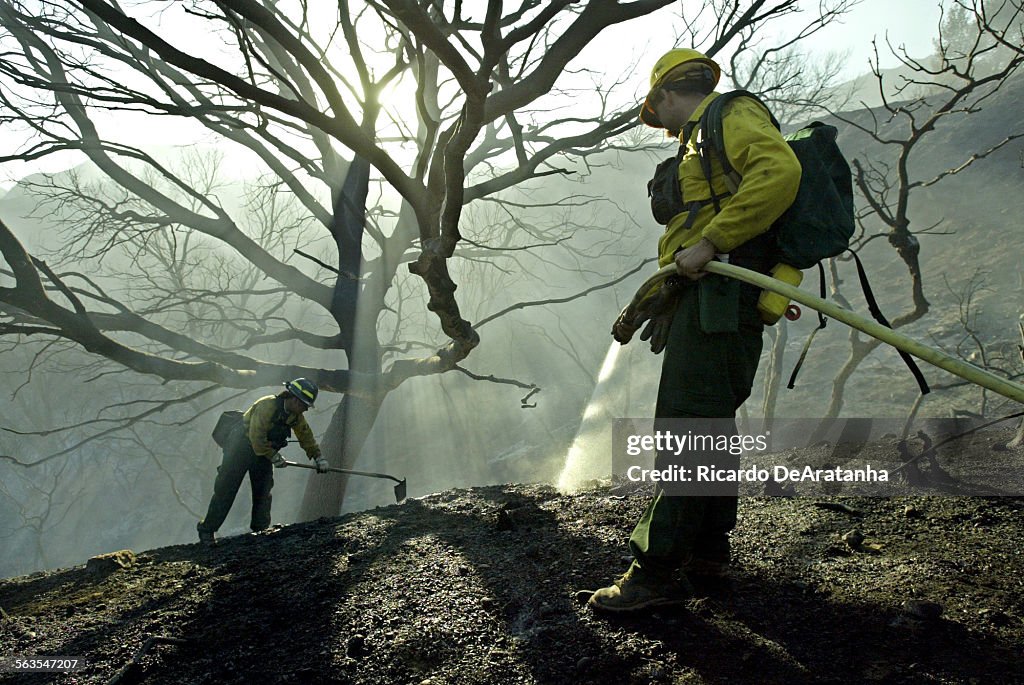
(238, 461)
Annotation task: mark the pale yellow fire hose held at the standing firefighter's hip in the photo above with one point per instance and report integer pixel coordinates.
(936, 358)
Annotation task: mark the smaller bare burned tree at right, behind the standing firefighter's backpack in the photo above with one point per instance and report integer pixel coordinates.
(943, 92)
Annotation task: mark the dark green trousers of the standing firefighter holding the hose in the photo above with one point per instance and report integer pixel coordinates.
(711, 360)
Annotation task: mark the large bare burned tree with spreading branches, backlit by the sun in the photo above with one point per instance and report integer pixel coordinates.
(288, 78)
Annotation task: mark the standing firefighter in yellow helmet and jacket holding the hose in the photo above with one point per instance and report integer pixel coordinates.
(708, 326)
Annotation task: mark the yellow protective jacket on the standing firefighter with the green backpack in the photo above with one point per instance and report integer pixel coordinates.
(771, 179)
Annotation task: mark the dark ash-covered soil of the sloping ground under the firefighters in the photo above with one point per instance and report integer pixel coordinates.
(480, 586)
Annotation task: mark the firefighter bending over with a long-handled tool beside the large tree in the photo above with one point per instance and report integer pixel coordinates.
(252, 447)
